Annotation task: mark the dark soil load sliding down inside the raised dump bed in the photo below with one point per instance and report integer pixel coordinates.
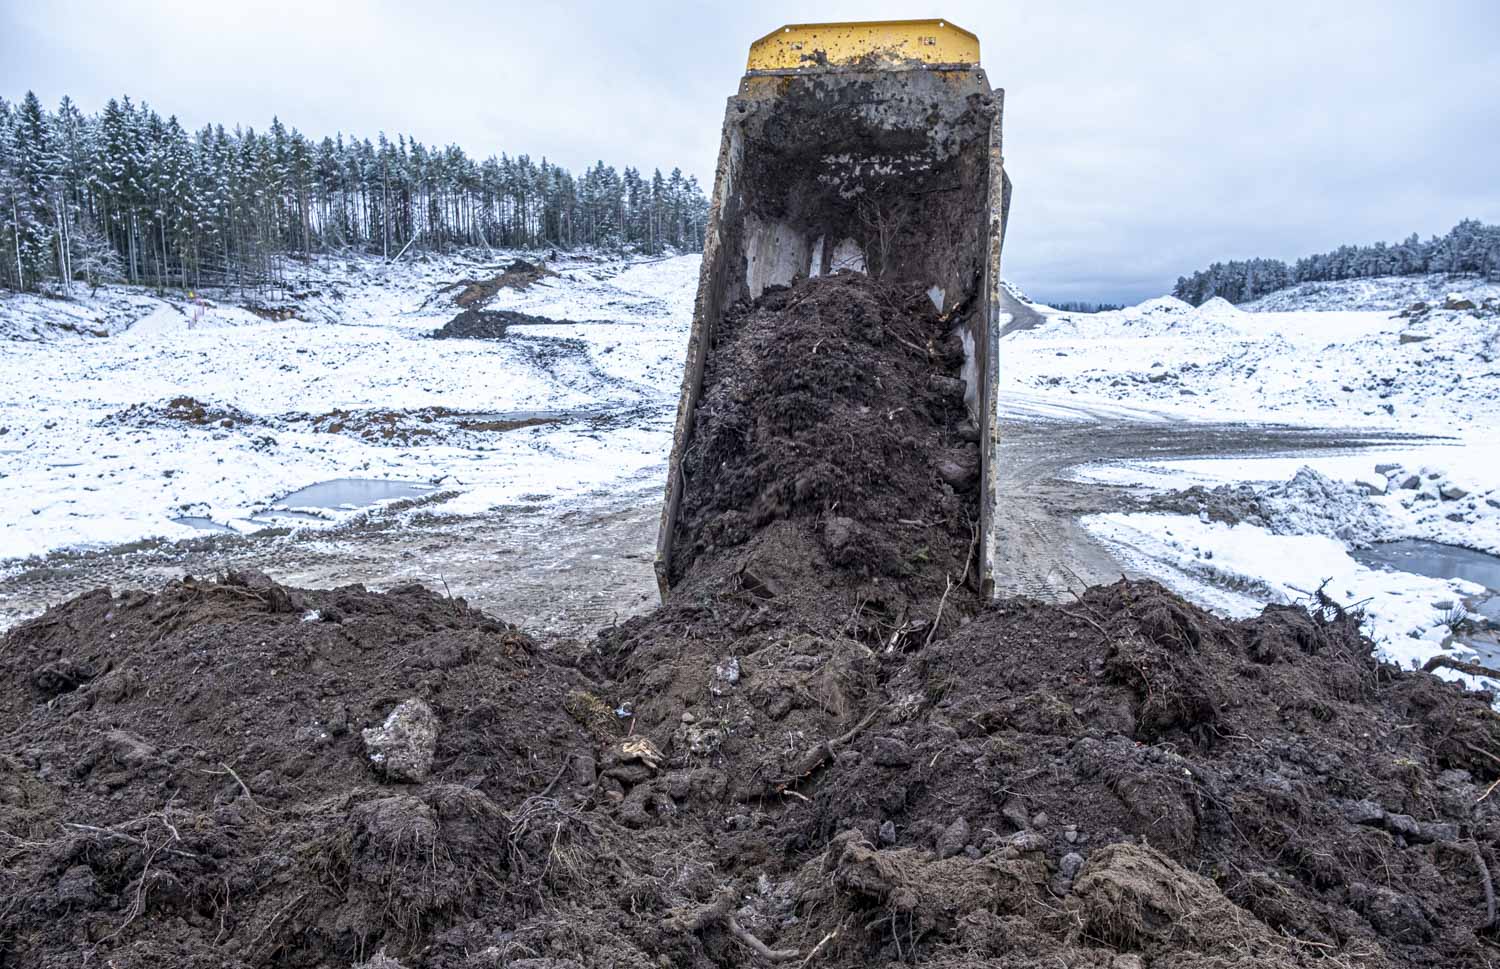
(833, 458)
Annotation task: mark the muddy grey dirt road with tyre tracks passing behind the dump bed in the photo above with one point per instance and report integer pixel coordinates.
(572, 568)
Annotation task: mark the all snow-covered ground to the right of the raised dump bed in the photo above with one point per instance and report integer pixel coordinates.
(1279, 529)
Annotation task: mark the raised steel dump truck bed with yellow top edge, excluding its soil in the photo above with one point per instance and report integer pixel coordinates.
(859, 148)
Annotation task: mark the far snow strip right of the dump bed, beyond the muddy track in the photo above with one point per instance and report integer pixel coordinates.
(1217, 362)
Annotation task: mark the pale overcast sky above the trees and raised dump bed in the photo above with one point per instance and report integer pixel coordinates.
(1145, 139)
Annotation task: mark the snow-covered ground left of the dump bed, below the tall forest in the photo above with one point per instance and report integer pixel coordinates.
(211, 412)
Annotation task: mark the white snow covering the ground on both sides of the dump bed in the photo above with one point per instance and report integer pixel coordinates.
(91, 458)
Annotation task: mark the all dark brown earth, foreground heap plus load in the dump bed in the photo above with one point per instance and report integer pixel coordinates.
(826, 751)
